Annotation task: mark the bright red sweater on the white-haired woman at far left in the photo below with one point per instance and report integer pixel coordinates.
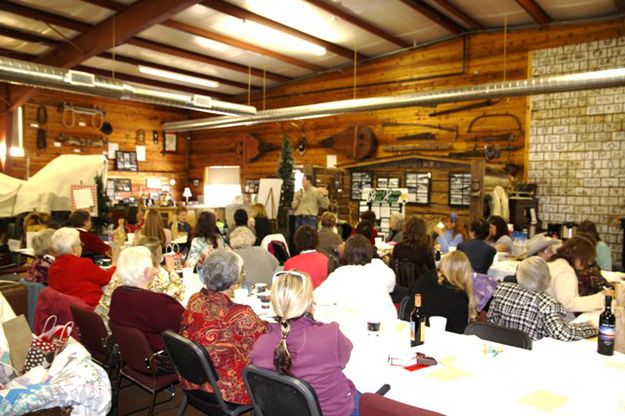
(78, 277)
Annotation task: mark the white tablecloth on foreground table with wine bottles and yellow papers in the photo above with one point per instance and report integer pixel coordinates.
(555, 378)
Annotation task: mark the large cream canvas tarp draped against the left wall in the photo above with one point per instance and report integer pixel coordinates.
(49, 189)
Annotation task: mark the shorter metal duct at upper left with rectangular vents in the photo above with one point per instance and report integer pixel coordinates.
(49, 77)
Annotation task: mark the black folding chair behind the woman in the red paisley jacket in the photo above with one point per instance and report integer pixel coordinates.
(193, 363)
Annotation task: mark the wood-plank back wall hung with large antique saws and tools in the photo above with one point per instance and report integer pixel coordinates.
(442, 66)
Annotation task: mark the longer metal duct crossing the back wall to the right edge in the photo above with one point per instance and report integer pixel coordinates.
(571, 82)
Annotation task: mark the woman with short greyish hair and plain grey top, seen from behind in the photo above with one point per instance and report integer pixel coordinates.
(258, 263)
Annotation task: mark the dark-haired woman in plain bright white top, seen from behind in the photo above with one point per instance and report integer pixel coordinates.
(361, 287)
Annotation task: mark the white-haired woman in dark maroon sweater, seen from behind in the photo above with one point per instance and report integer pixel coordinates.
(134, 305)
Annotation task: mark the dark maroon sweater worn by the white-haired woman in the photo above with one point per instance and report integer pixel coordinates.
(149, 312)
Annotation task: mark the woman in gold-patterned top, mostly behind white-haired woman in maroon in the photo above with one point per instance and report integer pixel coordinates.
(165, 281)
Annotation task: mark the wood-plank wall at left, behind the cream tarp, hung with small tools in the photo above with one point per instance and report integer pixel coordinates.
(125, 118)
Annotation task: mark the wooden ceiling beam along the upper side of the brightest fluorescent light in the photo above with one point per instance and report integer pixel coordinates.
(232, 10)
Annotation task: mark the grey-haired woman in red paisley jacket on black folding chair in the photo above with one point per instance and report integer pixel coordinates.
(227, 330)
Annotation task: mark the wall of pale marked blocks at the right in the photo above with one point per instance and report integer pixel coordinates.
(577, 142)
